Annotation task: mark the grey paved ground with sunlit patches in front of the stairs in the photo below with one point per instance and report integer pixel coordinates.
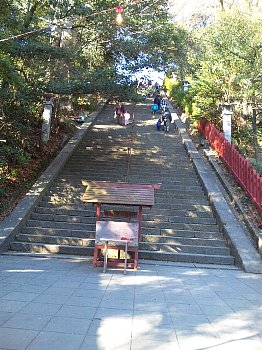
(51, 303)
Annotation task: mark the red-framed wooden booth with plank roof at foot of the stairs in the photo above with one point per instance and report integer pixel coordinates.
(118, 228)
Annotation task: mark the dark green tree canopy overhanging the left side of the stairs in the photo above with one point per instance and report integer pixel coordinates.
(66, 49)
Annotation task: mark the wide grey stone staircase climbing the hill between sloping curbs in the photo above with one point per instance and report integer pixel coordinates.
(180, 227)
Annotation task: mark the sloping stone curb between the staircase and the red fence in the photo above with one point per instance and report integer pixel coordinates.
(242, 249)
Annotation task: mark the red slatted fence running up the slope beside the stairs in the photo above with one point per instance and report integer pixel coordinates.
(240, 167)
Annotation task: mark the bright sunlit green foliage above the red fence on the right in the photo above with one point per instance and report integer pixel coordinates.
(224, 64)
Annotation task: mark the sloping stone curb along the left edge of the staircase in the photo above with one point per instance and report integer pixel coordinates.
(11, 225)
